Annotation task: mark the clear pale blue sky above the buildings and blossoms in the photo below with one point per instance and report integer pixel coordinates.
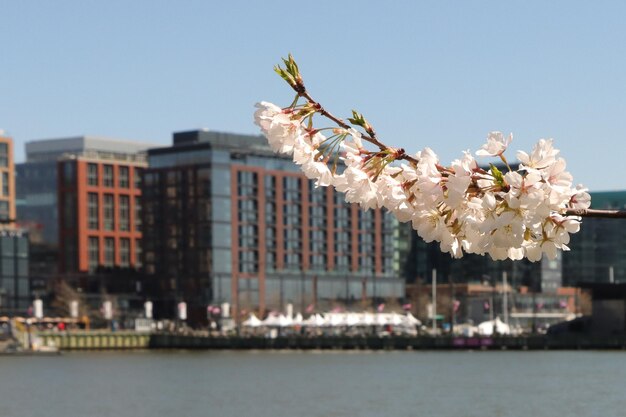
(440, 74)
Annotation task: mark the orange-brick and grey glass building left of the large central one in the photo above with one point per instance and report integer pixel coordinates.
(79, 198)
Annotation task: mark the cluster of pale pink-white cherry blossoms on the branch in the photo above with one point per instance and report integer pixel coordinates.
(516, 214)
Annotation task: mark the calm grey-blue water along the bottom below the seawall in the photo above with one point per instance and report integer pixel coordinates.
(288, 384)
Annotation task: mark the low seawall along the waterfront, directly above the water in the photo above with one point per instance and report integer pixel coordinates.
(97, 340)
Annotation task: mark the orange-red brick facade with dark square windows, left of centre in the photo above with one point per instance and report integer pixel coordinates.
(100, 212)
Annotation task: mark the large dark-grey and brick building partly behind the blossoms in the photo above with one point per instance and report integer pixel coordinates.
(227, 220)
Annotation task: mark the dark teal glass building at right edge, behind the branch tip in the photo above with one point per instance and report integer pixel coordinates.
(598, 250)
